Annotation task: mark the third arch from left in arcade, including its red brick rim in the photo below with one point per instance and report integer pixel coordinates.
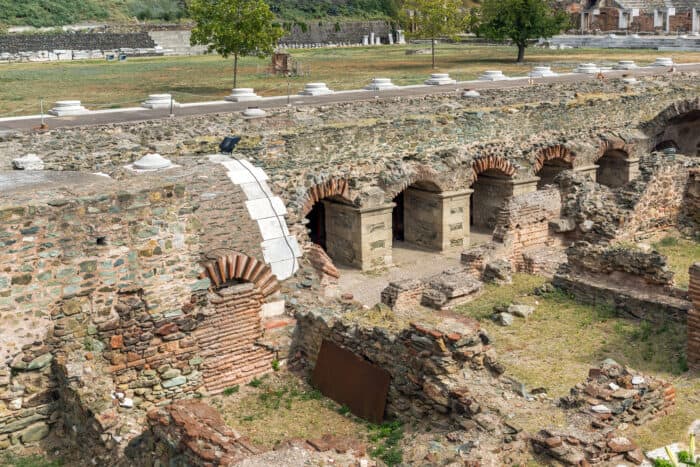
(492, 188)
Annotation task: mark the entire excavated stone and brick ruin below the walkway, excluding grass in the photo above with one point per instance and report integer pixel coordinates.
(132, 295)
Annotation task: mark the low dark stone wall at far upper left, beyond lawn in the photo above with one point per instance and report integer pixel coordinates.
(14, 43)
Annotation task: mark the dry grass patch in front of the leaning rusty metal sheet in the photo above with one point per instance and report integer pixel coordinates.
(282, 406)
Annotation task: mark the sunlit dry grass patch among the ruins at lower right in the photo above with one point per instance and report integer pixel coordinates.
(557, 345)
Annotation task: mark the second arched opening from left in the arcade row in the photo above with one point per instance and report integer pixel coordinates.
(416, 216)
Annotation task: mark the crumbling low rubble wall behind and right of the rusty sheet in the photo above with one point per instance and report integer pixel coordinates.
(426, 362)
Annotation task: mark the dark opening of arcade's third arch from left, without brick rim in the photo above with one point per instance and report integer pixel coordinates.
(492, 188)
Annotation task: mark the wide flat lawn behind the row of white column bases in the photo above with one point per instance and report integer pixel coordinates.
(101, 84)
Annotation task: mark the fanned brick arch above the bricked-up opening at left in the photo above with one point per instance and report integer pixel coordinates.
(224, 266)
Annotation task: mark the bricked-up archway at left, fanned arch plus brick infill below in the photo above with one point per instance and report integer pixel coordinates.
(232, 320)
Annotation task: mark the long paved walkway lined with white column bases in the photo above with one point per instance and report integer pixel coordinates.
(119, 116)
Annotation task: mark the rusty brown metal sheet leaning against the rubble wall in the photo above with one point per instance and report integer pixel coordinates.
(350, 380)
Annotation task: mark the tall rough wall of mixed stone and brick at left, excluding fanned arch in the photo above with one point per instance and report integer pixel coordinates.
(118, 272)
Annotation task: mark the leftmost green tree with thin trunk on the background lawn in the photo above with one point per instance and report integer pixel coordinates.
(235, 27)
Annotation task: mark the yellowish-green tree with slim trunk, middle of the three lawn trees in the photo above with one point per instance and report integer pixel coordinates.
(431, 19)
